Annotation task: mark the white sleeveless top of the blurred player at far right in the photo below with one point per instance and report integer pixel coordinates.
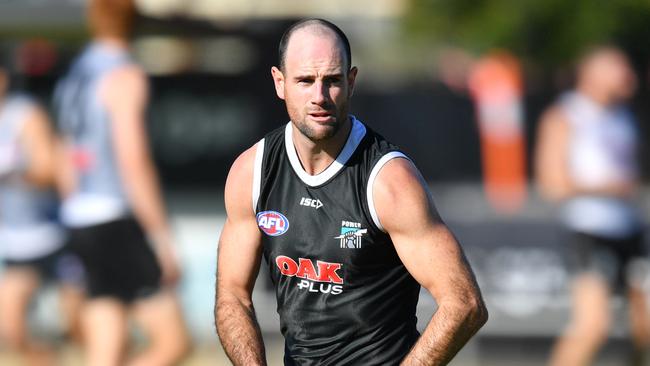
(602, 151)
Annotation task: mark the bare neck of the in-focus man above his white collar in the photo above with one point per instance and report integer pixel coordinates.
(316, 156)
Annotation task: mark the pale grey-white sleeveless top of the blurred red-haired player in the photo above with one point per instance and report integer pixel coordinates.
(99, 196)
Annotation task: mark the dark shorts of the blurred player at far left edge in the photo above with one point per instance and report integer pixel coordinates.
(62, 266)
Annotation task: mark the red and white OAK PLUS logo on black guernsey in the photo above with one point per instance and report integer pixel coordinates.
(322, 277)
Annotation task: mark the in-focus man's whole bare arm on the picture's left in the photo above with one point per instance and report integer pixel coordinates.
(239, 258)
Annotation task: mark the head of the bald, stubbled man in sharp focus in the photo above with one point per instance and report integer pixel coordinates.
(315, 83)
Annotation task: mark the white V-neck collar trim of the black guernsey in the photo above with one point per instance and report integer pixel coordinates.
(357, 133)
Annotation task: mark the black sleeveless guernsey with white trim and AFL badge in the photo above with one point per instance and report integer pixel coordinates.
(344, 297)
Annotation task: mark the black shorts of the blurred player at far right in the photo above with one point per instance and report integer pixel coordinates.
(608, 257)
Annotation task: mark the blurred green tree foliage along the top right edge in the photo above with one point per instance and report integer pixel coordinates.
(550, 32)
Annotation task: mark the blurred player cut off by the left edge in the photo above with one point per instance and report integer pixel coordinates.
(31, 241)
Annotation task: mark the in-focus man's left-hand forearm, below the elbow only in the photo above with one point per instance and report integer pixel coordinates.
(239, 332)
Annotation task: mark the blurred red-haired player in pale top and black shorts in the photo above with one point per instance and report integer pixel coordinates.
(112, 200)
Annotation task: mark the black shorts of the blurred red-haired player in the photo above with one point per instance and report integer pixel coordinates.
(118, 260)
